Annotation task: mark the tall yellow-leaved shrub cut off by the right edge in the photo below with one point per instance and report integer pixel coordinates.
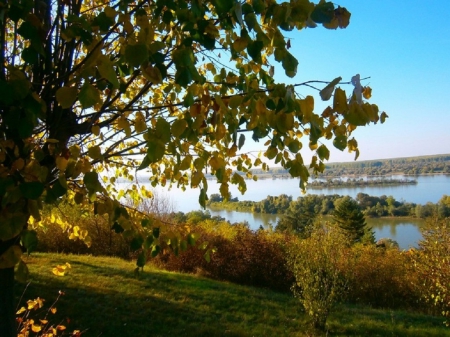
(432, 264)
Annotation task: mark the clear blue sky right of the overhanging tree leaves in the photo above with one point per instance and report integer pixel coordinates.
(405, 48)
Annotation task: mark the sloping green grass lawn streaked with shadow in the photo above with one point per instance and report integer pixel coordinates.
(104, 297)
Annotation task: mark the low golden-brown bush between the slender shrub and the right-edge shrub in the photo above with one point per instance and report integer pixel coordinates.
(380, 277)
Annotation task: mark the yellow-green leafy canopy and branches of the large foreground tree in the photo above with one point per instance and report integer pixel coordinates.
(91, 91)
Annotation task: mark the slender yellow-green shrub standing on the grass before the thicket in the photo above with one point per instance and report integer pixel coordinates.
(320, 282)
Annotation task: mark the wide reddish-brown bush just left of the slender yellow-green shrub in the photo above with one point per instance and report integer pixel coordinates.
(240, 255)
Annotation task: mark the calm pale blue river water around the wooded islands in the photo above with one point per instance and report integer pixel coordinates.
(405, 232)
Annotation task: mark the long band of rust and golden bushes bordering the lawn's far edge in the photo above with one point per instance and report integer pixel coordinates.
(380, 277)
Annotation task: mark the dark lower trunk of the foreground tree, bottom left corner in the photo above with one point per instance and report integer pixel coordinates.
(7, 309)
